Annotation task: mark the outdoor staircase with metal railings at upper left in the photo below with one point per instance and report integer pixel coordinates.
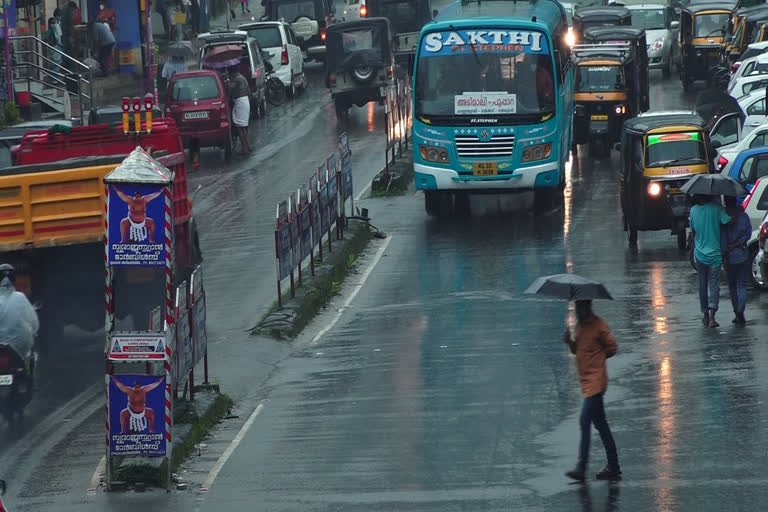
(65, 88)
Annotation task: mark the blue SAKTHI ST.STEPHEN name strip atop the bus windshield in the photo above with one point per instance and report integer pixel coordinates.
(497, 41)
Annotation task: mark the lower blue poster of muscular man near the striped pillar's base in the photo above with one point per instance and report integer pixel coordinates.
(137, 415)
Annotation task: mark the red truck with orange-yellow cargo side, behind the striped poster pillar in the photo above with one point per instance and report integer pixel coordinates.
(52, 216)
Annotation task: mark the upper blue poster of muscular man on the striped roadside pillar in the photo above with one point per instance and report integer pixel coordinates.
(136, 225)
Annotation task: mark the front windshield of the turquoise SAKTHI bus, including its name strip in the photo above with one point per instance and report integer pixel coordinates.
(497, 78)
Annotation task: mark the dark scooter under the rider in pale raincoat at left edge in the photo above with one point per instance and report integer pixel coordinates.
(16, 382)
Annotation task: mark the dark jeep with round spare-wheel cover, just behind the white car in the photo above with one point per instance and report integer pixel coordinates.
(309, 20)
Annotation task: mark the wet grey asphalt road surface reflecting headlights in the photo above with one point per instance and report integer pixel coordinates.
(440, 387)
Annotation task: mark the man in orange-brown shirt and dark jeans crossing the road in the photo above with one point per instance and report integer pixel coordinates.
(592, 344)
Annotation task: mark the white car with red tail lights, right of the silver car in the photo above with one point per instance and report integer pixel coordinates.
(279, 42)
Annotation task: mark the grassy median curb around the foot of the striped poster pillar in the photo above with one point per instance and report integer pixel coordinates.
(190, 427)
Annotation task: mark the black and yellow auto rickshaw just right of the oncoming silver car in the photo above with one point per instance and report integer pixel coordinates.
(701, 32)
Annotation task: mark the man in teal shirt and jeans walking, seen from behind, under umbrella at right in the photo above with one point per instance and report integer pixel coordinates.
(707, 218)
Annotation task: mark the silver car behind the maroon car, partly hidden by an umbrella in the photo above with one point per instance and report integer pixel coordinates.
(252, 66)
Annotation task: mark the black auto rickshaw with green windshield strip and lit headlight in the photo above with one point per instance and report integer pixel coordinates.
(660, 152)
